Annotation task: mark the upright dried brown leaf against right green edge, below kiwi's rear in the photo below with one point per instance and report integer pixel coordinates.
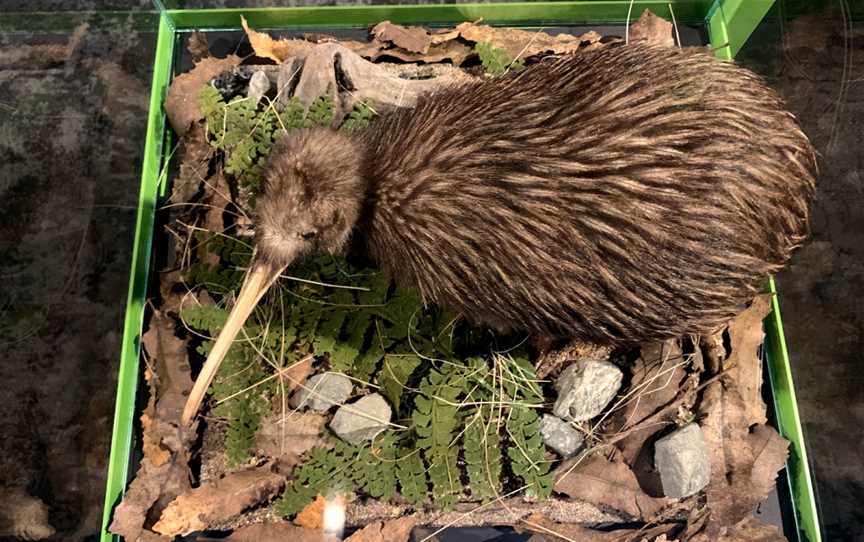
(745, 367)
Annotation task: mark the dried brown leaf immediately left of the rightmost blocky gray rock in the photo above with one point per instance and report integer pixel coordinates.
(604, 483)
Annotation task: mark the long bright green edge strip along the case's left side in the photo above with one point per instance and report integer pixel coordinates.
(127, 380)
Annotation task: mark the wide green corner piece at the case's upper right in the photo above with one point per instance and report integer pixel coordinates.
(731, 22)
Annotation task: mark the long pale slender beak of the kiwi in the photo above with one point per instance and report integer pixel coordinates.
(258, 280)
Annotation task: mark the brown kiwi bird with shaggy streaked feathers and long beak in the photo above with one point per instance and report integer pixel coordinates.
(628, 194)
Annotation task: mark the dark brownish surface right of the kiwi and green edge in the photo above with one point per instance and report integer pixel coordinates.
(813, 55)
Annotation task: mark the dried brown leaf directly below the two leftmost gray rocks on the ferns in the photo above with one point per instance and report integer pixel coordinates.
(296, 433)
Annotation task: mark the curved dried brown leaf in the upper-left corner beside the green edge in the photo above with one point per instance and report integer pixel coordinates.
(181, 103)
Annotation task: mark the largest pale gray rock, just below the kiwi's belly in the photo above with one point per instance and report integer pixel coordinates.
(585, 388)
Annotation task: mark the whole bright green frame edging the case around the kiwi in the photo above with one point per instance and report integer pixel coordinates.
(729, 24)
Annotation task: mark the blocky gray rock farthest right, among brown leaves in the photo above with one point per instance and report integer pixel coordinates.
(683, 461)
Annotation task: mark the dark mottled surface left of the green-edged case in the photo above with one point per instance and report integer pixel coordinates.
(74, 93)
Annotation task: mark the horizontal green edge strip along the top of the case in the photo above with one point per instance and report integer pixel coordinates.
(585, 11)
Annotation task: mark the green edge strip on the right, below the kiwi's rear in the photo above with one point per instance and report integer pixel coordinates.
(789, 423)
